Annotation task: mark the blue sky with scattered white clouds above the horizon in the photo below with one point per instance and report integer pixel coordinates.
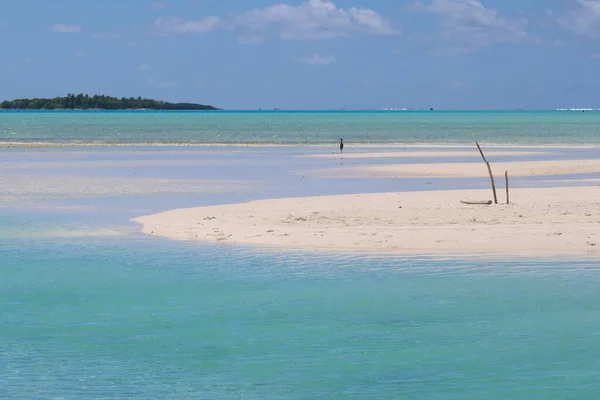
(355, 54)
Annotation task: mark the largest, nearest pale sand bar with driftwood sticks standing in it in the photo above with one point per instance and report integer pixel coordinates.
(548, 221)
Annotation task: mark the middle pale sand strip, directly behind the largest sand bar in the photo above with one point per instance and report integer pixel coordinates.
(466, 170)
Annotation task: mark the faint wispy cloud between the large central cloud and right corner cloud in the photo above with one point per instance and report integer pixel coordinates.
(467, 25)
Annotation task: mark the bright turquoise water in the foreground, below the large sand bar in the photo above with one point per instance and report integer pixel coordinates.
(134, 319)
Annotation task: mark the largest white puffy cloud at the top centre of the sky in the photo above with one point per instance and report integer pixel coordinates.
(314, 20)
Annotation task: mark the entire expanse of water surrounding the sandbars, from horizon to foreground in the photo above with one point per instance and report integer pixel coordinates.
(124, 316)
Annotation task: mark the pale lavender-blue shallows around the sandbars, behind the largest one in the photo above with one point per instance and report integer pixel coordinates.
(79, 191)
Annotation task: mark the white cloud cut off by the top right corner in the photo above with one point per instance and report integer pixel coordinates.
(583, 18)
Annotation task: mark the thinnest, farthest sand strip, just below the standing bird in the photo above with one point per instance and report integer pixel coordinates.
(424, 154)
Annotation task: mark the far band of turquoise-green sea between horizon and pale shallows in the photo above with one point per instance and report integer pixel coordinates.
(301, 127)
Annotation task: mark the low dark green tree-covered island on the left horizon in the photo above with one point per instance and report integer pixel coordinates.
(97, 102)
